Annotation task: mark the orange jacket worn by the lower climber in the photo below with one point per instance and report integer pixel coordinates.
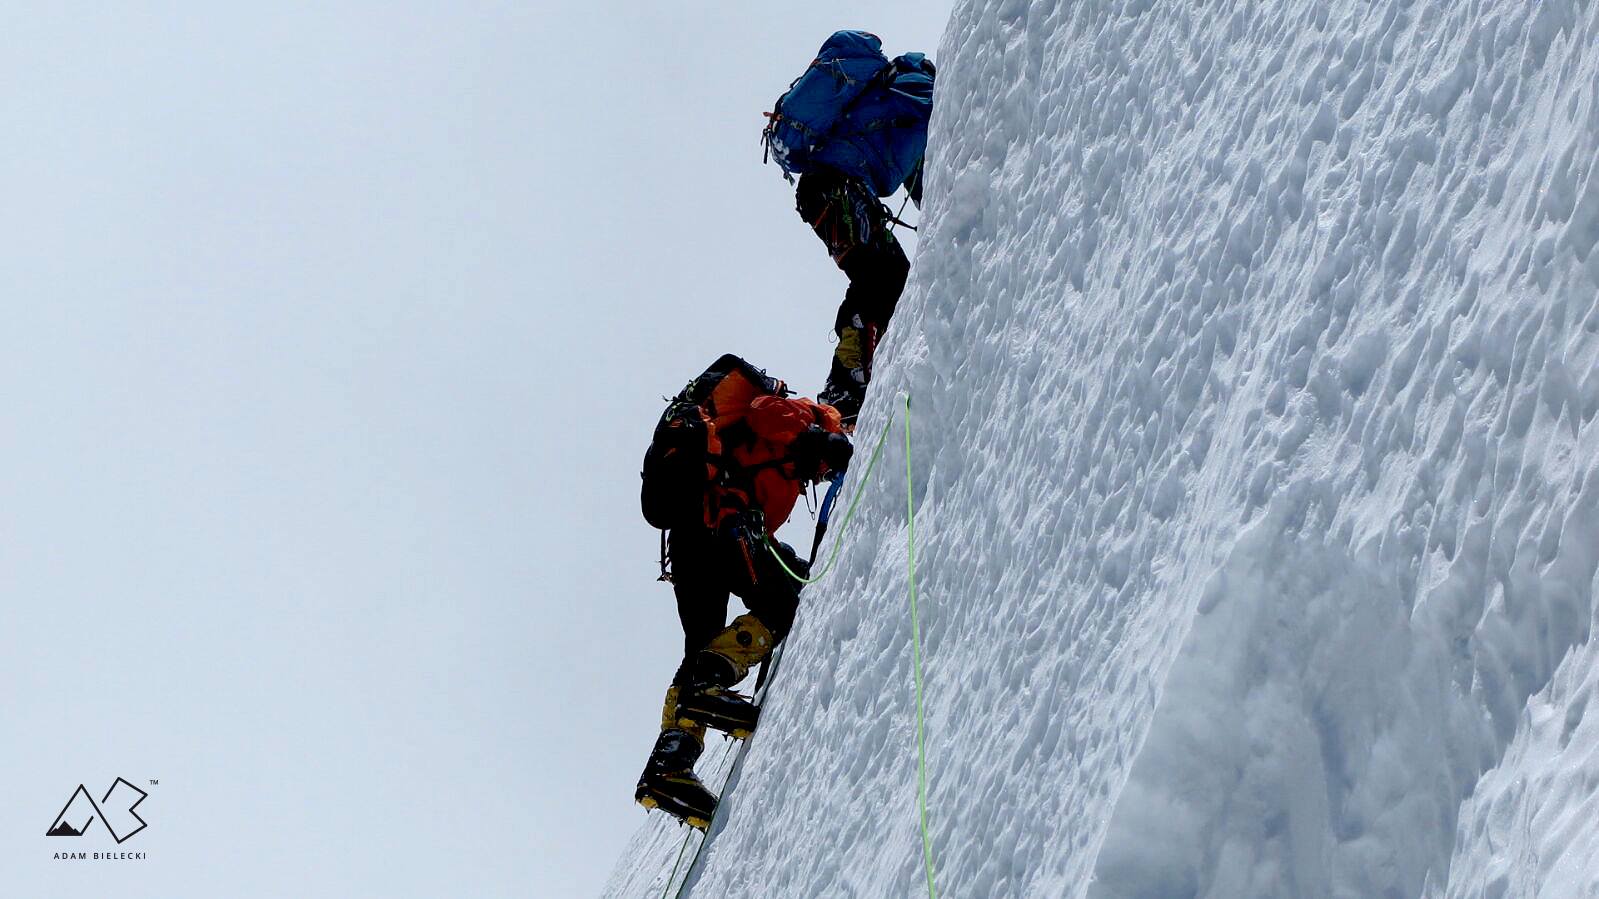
(765, 477)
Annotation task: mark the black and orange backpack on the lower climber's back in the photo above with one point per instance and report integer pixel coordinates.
(685, 457)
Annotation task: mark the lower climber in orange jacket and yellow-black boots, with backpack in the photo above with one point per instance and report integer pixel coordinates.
(730, 460)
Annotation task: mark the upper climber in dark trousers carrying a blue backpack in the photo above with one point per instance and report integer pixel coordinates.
(855, 130)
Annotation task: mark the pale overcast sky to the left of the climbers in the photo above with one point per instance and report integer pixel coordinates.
(332, 338)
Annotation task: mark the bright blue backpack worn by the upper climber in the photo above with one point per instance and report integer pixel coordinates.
(855, 111)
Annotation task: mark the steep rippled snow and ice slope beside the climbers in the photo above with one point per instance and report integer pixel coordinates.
(1256, 362)
